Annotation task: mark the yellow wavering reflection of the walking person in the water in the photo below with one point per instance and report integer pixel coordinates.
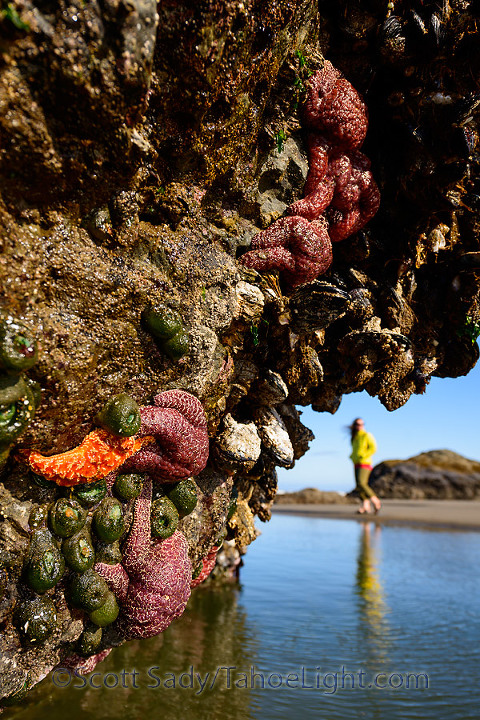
(372, 606)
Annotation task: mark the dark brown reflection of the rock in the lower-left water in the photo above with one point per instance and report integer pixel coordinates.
(211, 634)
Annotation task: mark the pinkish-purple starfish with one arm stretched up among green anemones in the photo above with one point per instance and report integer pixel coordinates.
(153, 582)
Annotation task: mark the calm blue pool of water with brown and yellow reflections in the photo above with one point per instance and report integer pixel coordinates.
(324, 607)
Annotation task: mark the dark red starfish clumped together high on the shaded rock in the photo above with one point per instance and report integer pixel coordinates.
(340, 194)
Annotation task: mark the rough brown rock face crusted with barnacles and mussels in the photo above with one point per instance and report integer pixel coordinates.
(143, 147)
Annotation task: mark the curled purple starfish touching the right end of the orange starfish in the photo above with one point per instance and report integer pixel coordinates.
(178, 423)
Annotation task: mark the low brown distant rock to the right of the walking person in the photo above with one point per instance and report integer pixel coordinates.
(438, 474)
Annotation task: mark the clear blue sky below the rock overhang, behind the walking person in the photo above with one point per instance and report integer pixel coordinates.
(447, 416)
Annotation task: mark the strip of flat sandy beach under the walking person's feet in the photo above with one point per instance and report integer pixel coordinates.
(450, 514)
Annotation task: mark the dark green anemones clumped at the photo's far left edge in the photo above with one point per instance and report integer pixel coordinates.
(19, 395)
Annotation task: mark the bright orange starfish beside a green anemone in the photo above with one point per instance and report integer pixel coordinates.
(97, 455)
